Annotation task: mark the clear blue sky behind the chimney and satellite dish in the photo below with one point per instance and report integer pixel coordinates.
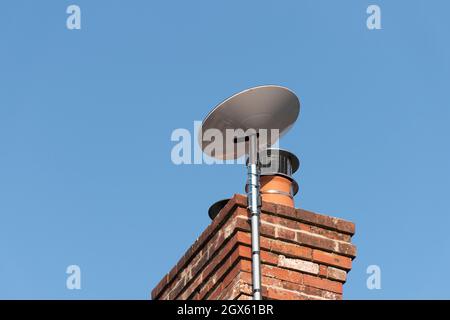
(86, 117)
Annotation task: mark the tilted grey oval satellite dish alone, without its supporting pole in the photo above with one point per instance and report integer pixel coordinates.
(260, 109)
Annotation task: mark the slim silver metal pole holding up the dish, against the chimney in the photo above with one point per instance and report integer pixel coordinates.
(254, 206)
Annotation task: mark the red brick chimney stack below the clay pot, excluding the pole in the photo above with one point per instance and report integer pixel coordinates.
(304, 255)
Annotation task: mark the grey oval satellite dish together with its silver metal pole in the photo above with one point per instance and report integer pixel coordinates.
(259, 108)
